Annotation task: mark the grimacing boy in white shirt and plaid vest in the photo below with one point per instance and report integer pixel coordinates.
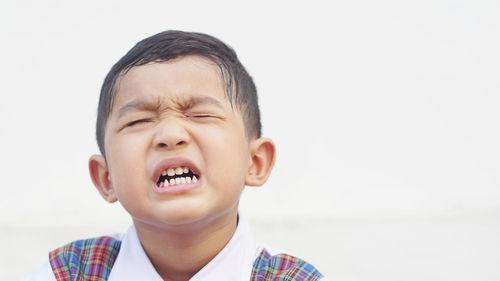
(179, 132)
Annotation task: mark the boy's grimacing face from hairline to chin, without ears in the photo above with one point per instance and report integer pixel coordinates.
(170, 115)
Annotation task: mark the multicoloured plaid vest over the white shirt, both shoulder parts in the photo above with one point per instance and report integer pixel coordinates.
(92, 260)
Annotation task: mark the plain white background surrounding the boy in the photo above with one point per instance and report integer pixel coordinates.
(385, 115)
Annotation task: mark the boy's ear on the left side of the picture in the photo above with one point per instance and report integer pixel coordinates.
(99, 173)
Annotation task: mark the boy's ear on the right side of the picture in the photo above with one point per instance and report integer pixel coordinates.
(263, 154)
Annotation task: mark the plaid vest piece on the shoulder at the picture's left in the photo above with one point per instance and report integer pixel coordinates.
(85, 260)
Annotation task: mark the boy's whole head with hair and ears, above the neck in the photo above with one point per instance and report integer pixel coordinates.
(179, 126)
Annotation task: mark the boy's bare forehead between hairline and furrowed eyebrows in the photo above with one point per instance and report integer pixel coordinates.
(175, 80)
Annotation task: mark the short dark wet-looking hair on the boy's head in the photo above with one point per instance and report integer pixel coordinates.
(239, 86)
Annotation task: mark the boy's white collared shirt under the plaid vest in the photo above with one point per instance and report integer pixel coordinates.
(234, 262)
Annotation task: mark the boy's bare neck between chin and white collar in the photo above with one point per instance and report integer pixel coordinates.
(179, 252)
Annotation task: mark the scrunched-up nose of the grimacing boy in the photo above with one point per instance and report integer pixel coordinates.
(171, 134)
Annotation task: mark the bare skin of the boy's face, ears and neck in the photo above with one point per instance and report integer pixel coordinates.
(178, 110)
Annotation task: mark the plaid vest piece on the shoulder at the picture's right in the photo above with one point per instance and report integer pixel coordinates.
(282, 268)
